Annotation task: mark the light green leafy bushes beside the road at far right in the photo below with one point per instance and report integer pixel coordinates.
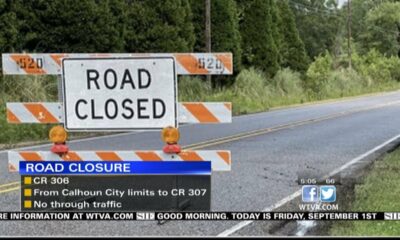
(371, 72)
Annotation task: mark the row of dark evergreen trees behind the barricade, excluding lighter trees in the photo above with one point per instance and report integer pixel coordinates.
(260, 33)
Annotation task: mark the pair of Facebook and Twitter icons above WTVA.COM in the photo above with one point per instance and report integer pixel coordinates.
(324, 193)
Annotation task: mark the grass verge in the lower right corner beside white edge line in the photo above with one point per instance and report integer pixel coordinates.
(379, 192)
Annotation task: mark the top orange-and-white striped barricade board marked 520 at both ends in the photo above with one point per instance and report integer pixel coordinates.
(51, 63)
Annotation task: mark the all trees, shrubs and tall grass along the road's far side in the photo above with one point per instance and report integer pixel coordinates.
(284, 52)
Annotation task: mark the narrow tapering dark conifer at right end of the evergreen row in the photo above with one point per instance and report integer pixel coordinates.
(291, 47)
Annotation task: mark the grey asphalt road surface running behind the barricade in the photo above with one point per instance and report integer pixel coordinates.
(317, 138)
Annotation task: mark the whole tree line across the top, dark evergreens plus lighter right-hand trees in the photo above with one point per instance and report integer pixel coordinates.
(265, 34)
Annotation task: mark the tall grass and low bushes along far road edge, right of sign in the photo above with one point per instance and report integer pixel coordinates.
(253, 91)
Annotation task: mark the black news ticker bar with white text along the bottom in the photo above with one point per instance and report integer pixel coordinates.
(199, 216)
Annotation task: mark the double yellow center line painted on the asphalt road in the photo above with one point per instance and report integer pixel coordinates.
(255, 133)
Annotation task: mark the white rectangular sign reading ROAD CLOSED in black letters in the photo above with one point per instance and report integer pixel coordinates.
(119, 93)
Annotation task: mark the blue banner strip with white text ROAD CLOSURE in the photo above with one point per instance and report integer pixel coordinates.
(116, 168)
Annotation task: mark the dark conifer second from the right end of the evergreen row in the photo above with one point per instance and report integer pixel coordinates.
(258, 45)
